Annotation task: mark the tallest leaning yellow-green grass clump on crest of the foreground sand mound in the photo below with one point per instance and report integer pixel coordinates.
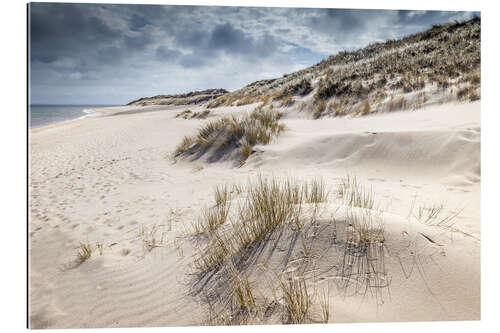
(269, 203)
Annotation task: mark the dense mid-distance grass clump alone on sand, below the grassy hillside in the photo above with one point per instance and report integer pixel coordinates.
(242, 133)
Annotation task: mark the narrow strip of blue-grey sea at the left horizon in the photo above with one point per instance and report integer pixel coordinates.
(42, 115)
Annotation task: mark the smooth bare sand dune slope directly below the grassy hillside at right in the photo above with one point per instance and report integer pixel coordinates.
(424, 143)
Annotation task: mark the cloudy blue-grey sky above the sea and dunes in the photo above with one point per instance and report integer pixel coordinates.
(113, 54)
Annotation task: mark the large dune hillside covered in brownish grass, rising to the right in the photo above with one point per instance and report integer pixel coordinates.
(435, 61)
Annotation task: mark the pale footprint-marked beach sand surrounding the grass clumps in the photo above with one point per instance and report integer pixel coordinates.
(110, 180)
